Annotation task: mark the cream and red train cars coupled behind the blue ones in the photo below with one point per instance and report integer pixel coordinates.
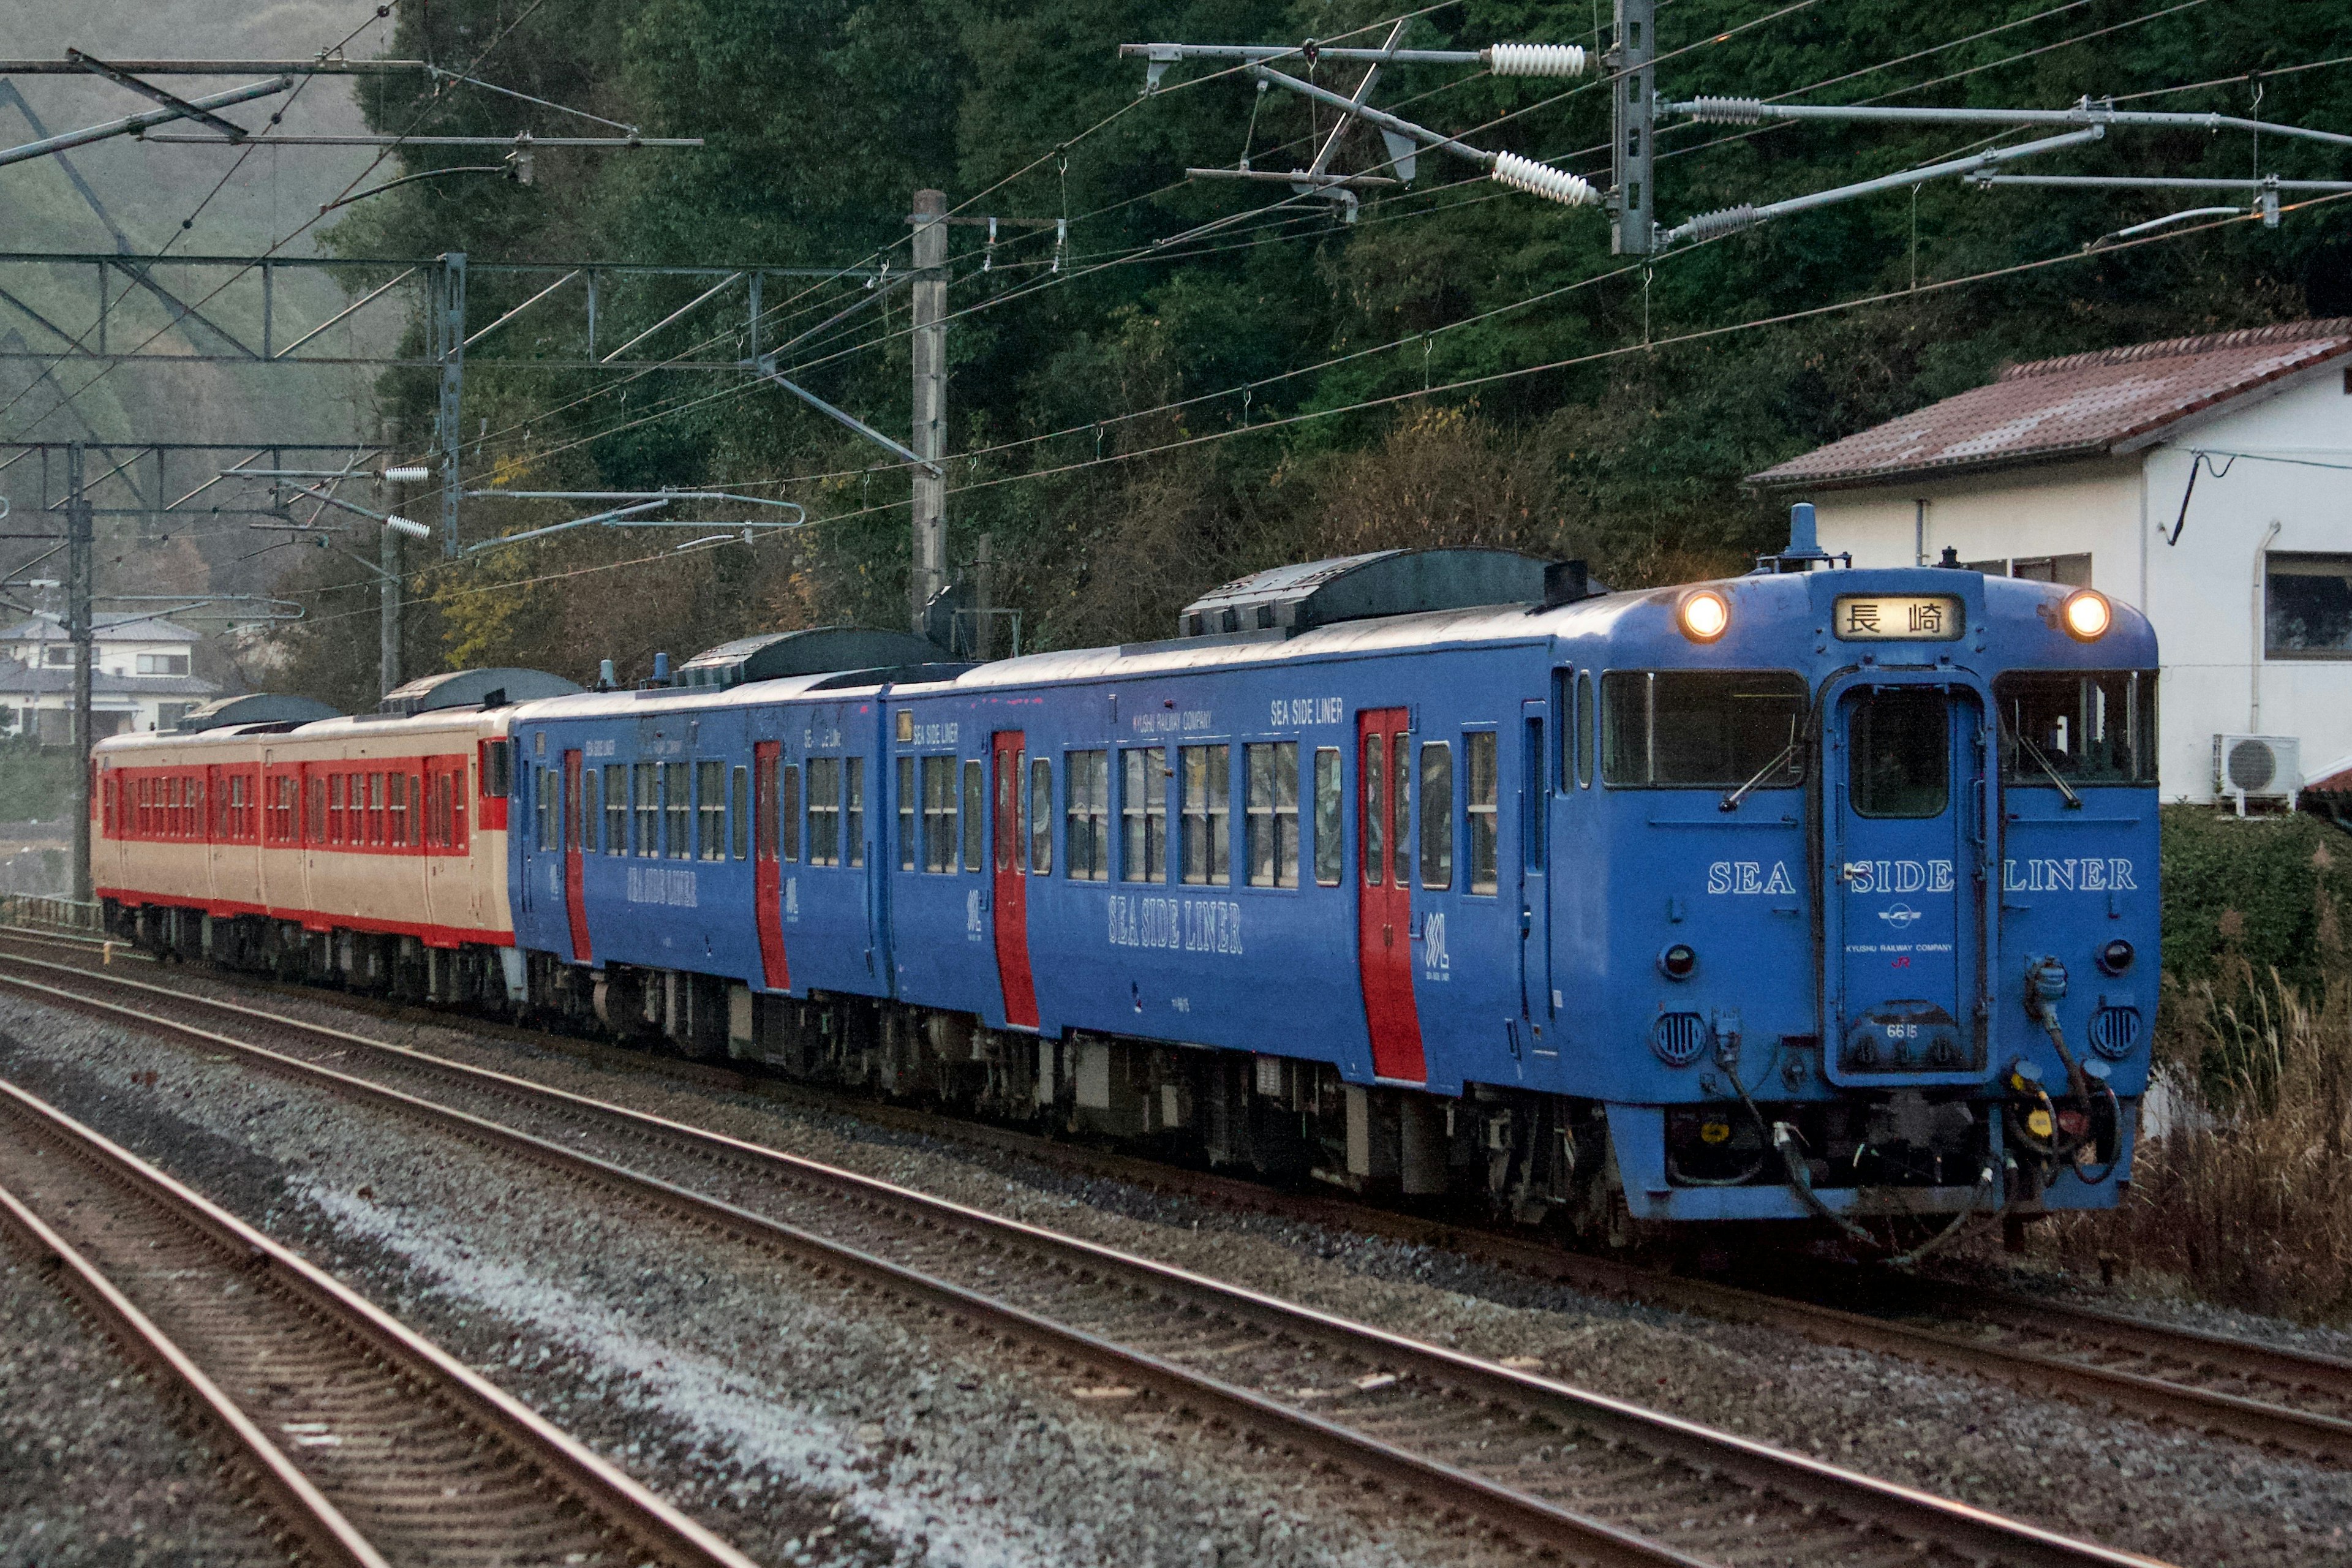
(368, 847)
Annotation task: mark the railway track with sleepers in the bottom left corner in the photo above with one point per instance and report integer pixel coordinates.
(366, 1442)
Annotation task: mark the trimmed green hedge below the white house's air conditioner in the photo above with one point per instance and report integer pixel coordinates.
(2252, 897)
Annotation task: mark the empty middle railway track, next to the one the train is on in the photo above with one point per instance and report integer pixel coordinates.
(1521, 1454)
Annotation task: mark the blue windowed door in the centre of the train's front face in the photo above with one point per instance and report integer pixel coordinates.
(1906, 770)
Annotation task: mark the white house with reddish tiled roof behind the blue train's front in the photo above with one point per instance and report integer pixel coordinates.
(2205, 481)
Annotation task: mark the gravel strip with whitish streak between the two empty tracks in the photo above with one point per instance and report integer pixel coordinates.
(801, 1421)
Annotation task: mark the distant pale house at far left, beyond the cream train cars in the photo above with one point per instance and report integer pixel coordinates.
(140, 676)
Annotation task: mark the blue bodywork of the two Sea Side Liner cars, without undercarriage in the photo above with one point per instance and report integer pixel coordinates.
(1170, 843)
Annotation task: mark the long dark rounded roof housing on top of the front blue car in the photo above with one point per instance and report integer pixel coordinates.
(1290, 601)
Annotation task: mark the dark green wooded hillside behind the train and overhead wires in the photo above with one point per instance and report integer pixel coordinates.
(1182, 403)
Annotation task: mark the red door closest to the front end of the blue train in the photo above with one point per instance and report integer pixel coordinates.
(1384, 897)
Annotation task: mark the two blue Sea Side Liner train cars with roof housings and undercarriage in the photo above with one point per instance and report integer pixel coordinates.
(1812, 894)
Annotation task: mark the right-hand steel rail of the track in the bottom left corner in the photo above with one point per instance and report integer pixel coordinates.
(559, 1456)
